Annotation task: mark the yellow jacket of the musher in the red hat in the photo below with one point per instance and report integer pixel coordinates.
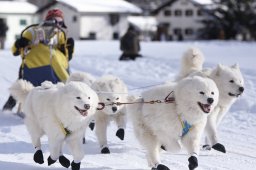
(38, 54)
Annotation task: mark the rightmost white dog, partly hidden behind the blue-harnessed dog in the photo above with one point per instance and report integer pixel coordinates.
(230, 83)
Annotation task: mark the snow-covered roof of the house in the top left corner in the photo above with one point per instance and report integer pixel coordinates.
(17, 7)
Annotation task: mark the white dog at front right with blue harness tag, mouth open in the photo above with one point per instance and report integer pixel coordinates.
(171, 126)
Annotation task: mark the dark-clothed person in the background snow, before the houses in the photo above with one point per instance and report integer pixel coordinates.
(130, 45)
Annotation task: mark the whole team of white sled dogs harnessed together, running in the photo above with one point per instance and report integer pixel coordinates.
(194, 105)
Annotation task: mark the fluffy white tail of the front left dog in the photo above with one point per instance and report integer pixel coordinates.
(20, 89)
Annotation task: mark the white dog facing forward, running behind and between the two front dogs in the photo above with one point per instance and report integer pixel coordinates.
(110, 90)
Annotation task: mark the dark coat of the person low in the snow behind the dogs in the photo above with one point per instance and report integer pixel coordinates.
(130, 43)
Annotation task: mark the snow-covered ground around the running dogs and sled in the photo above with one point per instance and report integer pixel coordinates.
(160, 64)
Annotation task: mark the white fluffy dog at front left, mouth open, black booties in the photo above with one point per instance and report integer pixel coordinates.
(58, 111)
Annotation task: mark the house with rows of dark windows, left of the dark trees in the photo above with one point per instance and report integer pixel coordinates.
(178, 19)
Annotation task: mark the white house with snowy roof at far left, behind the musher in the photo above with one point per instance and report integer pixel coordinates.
(17, 15)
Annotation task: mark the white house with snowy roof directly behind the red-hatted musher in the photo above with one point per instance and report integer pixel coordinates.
(94, 19)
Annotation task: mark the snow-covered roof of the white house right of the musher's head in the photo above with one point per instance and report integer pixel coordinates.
(119, 6)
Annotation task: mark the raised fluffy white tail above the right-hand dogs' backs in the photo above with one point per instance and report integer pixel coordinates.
(192, 61)
